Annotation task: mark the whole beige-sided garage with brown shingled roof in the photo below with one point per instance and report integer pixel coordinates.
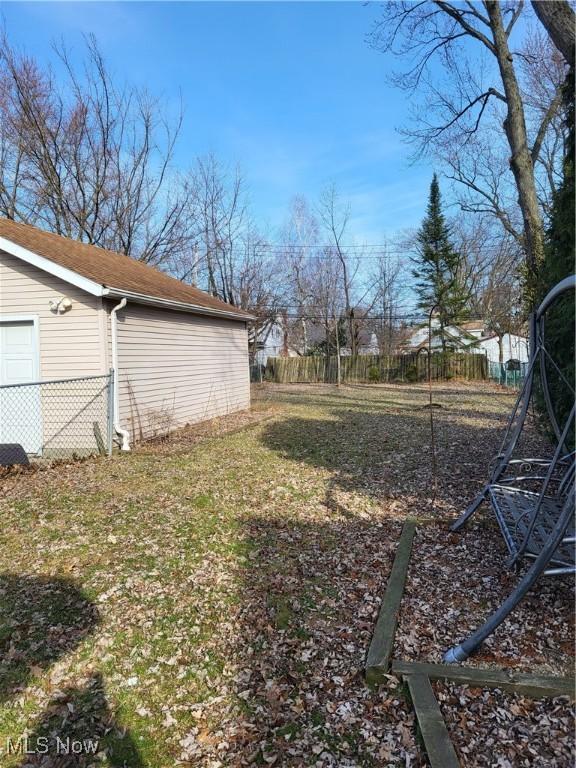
(74, 311)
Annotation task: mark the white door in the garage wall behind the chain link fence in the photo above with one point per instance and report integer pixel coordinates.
(20, 407)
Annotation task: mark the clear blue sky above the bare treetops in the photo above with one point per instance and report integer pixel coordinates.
(291, 91)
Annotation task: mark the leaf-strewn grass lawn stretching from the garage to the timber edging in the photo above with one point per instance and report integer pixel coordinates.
(209, 601)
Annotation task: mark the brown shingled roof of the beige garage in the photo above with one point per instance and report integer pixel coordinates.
(113, 271)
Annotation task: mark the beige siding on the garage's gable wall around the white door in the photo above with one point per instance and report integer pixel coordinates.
(70, 345)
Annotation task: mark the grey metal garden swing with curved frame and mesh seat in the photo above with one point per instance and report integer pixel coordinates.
(532, 498)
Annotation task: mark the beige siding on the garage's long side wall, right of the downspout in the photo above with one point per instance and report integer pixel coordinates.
(177, 368)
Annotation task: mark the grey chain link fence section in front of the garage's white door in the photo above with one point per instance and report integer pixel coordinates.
(58, 419)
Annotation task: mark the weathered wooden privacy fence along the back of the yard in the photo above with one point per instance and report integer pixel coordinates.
(318, 369)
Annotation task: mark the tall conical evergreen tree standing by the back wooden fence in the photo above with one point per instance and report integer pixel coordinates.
(439, 284)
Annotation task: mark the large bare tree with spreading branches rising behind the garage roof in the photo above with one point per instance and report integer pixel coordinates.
(89, 160)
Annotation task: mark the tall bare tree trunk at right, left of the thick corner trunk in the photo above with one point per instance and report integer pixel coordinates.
(521, 160)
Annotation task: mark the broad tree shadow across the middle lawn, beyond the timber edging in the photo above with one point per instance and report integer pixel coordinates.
(387, 456)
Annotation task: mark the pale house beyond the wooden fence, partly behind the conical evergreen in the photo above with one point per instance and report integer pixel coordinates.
(469, 337)
